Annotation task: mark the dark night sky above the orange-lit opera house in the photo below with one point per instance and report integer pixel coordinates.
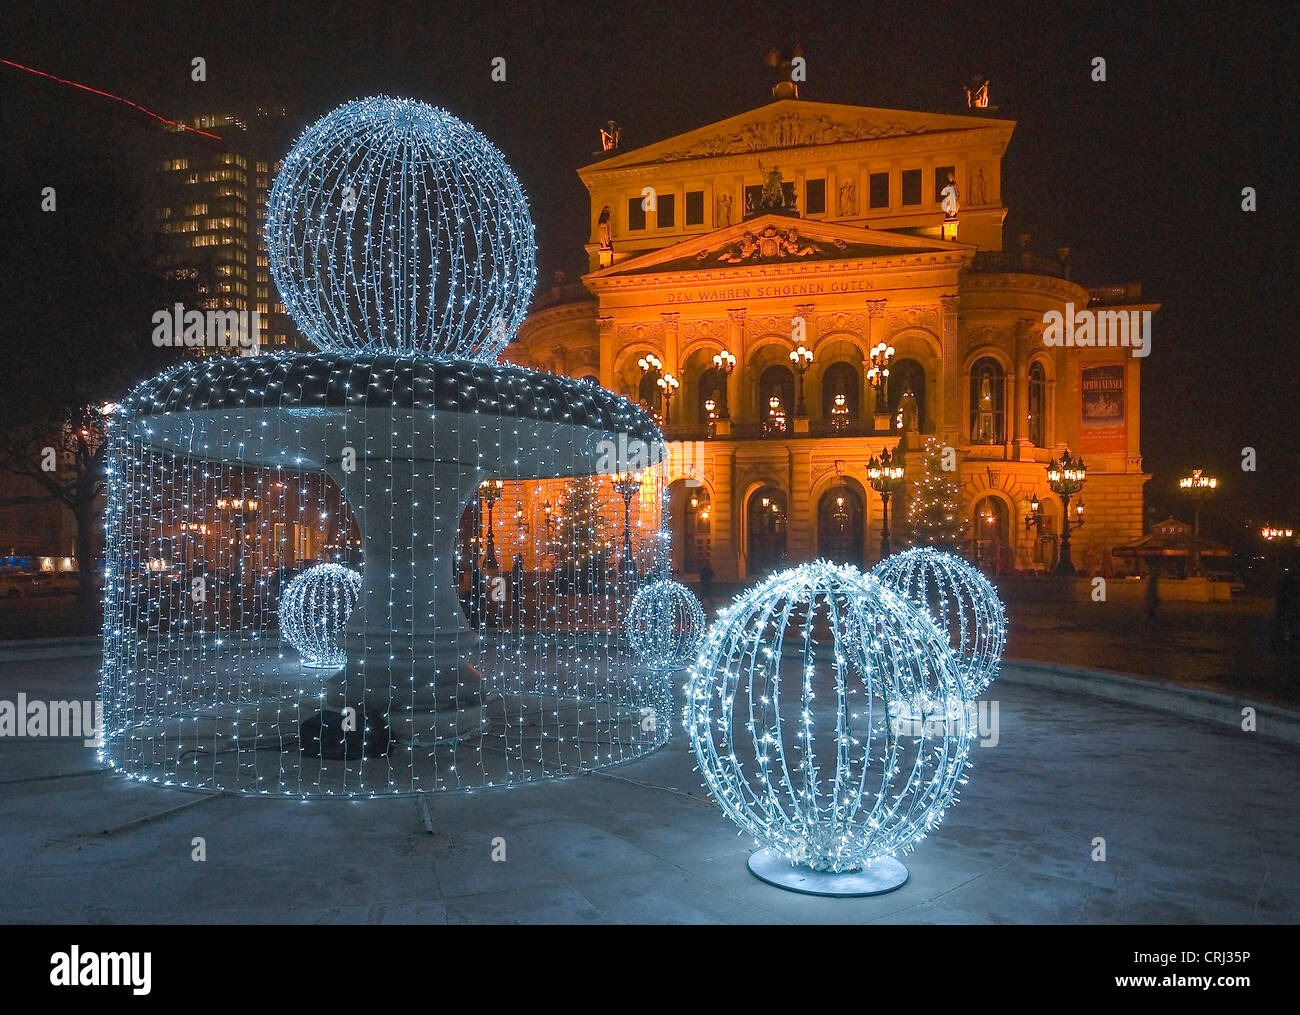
(1141, 176)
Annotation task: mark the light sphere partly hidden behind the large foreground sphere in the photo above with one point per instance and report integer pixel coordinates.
(964, 604)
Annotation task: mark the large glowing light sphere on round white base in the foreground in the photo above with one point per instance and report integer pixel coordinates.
(830, 722)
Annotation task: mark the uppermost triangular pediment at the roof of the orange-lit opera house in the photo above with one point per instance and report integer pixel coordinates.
(796, 124)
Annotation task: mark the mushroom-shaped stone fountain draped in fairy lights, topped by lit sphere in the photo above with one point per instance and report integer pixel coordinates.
(402, 246)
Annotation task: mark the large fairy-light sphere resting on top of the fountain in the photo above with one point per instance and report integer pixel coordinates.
(395, 228)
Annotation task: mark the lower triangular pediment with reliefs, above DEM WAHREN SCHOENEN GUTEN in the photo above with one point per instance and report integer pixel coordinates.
(778, 240)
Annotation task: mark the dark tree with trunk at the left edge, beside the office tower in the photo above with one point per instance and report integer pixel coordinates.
(81, 285)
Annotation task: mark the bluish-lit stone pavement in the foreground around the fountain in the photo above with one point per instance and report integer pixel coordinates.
(1199, 821)
